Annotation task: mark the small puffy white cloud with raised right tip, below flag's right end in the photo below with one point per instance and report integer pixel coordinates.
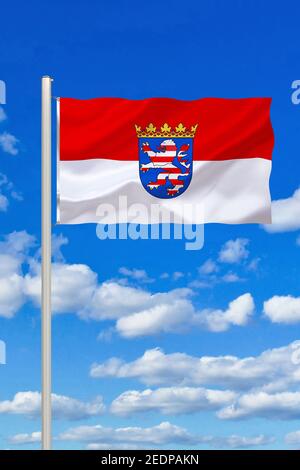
(238, 313)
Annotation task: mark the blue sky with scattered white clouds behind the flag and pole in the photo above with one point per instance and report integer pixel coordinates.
(134, 50)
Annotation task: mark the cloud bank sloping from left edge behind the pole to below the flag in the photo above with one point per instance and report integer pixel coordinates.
(135, 311)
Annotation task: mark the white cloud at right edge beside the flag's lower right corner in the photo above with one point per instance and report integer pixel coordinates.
(285, 214)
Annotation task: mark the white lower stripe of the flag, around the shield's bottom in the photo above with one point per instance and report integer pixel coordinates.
(230, 191)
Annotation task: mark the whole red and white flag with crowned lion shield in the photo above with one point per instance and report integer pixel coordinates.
(212, 154)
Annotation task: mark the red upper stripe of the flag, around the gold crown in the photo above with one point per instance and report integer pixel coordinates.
(105, 127)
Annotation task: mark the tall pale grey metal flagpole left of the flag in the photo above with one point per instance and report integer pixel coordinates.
(46, 263)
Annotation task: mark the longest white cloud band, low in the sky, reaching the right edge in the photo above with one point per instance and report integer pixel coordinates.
(274, 369)
